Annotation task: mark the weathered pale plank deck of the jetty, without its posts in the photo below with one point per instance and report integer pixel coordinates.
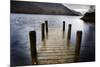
(55, 48)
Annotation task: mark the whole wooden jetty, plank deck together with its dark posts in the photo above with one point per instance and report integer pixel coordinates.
(56, 47)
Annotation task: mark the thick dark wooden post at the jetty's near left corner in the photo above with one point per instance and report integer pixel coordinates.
(32, 35)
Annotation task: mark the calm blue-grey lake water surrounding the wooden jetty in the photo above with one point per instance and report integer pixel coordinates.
(21, 24)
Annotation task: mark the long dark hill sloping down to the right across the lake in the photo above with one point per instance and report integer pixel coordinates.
(41, 8)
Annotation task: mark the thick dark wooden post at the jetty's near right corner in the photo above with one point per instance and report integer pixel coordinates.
(78, 45)
